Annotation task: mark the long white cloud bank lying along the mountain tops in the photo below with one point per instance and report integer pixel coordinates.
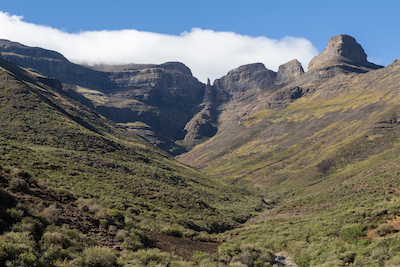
(209, 54)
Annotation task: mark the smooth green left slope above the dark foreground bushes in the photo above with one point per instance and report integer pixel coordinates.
(56, 139)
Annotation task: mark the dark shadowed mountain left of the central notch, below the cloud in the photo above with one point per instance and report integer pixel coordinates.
(154, 101)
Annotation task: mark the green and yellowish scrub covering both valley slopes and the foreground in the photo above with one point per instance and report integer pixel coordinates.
(327, 191)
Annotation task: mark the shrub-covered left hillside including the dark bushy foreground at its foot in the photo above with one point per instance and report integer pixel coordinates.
(76, 190)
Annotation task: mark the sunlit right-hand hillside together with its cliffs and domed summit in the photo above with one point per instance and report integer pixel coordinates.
(276, 139)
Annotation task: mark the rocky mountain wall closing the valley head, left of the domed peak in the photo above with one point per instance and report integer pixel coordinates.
(163, 103)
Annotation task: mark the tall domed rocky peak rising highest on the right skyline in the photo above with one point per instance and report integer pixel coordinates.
(341, 49)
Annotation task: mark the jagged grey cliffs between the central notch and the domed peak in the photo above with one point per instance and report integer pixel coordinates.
(229, 90)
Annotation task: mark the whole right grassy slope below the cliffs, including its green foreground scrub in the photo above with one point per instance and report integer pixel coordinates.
(332, 160)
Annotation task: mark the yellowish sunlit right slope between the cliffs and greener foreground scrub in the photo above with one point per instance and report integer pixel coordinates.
(341, 121)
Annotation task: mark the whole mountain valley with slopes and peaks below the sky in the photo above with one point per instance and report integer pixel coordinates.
(252, 166)
